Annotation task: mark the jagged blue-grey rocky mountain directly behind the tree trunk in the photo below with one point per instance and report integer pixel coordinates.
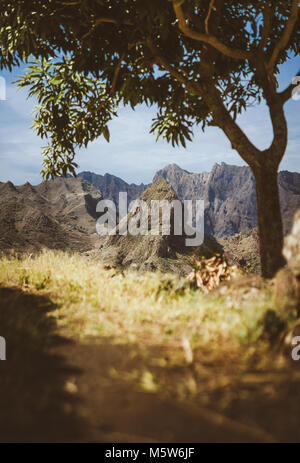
(229, 195)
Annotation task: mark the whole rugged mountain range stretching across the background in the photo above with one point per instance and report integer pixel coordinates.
(61, 213)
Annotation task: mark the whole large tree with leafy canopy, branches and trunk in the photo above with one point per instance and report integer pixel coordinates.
(199, 61)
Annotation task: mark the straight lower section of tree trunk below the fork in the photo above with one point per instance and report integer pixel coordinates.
(269, 220)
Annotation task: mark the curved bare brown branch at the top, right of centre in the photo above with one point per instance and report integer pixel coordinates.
(207, 38)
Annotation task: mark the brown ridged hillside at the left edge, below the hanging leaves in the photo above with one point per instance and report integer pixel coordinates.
(59, 214)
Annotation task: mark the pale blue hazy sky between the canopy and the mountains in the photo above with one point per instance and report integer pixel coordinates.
(133, 153)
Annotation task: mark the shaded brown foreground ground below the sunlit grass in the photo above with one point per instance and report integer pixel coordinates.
(63, 390)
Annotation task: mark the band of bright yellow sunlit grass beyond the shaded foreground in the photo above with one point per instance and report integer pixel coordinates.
(131, 307)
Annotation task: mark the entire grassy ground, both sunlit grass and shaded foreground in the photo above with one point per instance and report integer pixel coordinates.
(140, 333)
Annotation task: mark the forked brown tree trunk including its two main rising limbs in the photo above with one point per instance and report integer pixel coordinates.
(264, 164)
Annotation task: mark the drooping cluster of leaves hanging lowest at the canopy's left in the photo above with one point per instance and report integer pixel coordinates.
(74, 109)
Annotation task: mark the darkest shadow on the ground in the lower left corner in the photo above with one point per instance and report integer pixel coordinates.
(33, 401)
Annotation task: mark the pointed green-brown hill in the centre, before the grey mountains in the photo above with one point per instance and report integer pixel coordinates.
(150, 252)
